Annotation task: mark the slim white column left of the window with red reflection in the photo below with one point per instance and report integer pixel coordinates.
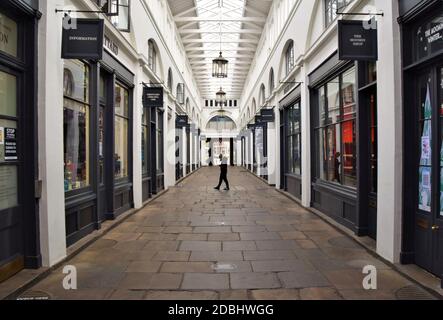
(307, 142)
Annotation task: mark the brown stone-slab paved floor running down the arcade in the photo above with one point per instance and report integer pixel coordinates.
(249, 243)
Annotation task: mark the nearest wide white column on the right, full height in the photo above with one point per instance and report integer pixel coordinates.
(390, 148)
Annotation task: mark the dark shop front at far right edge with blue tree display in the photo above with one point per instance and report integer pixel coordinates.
(422, 29)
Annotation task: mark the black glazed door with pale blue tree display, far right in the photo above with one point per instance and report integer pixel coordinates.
(429, 209)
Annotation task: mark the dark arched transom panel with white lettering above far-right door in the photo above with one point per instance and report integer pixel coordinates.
(429, 38)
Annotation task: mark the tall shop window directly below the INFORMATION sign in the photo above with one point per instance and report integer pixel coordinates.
(76, 126)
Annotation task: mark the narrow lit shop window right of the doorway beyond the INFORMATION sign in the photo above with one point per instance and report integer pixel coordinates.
(121, 165)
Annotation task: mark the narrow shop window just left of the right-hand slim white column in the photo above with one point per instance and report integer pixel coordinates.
(293, 139)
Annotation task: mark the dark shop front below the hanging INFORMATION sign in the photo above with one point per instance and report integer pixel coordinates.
(97, 153)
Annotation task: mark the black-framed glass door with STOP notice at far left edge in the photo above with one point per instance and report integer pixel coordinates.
(11, 215)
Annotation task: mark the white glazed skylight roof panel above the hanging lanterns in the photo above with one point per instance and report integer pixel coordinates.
(237, 24)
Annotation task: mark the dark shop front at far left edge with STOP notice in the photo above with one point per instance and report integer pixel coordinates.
(19, 188)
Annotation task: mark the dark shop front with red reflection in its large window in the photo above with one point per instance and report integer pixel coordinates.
(344, 133)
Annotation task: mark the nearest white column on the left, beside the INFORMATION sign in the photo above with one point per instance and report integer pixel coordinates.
(50, 135)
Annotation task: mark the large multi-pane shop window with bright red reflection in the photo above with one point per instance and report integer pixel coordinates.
(336, 131)
